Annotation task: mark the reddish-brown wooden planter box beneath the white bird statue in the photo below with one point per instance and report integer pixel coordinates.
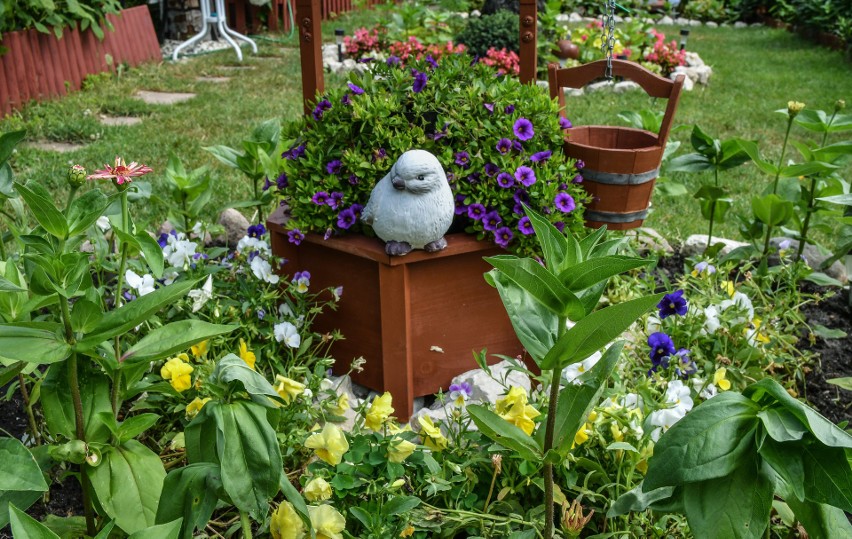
(416, 319)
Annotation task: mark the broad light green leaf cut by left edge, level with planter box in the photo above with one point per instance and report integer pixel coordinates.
(33, 342)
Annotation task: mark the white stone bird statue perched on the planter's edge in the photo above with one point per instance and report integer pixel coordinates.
(412, 207)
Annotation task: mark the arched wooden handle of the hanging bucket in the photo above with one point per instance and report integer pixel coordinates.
(653, 85)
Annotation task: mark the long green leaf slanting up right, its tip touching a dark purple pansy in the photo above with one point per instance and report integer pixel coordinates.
(595, 331)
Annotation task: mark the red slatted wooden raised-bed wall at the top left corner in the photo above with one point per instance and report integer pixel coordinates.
(38, 66)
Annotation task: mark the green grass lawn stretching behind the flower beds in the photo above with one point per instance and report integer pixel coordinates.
(755, 72)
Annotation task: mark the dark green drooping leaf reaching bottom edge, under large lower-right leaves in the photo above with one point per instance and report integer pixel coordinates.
(736, 505)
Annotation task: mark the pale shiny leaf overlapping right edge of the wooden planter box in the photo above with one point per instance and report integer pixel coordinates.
(533, 323)
